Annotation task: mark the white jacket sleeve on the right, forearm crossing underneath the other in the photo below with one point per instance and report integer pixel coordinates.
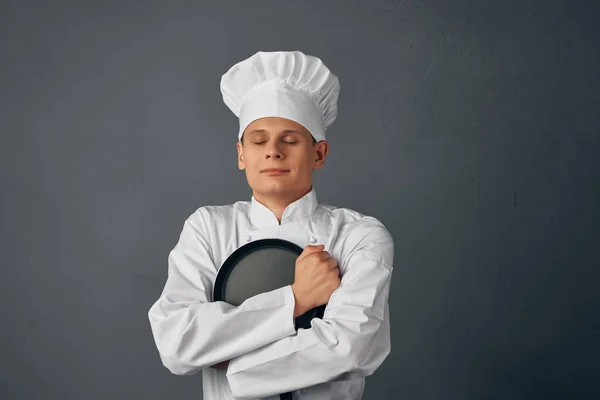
(351, 340)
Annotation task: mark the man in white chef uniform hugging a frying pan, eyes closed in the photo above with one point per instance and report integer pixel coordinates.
(284, 101)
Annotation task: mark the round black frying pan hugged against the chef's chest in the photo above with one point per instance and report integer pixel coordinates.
(258, 267)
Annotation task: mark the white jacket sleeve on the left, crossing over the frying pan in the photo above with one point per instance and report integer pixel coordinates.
(192, 332)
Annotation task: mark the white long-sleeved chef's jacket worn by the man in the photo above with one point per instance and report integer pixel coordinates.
(267, 355)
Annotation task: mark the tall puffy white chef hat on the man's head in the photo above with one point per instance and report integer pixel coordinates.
(286, 84)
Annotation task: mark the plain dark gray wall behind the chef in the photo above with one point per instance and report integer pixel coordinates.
(468, 127)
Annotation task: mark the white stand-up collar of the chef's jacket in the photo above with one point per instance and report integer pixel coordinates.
(263, 217)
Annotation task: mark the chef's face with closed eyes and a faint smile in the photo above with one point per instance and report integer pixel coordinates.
(278, 156)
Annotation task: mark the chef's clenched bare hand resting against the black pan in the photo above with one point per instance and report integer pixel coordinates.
(317, 276)
